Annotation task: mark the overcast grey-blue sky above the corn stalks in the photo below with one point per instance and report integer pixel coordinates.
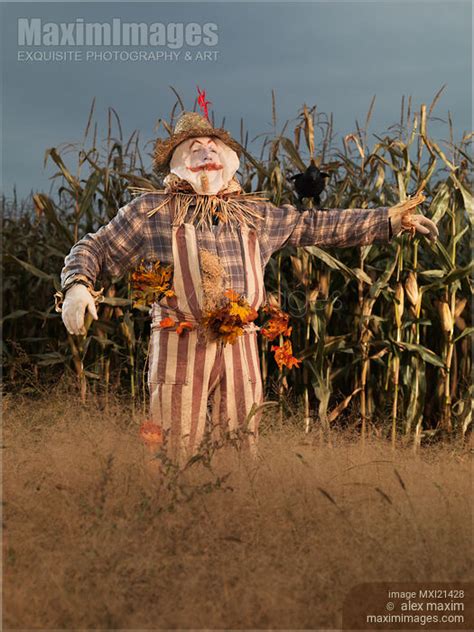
(336, 55)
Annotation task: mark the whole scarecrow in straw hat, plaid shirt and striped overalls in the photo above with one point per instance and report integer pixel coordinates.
(210, 242)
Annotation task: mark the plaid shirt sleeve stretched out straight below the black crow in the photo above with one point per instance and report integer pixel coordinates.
(287, 226)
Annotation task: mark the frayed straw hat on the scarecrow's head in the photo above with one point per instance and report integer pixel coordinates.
(189, 125)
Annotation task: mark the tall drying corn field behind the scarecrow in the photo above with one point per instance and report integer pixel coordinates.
(383, 330)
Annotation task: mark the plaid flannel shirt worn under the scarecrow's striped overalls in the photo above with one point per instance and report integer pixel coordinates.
(131, 236)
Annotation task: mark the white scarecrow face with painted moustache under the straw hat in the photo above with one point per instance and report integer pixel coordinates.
(206, 163)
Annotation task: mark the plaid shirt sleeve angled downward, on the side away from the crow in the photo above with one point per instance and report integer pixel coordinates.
(113, 249)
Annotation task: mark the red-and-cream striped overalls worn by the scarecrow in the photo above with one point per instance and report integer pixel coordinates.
(187, 374)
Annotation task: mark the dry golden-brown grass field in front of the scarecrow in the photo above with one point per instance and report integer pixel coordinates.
(94, 540)
